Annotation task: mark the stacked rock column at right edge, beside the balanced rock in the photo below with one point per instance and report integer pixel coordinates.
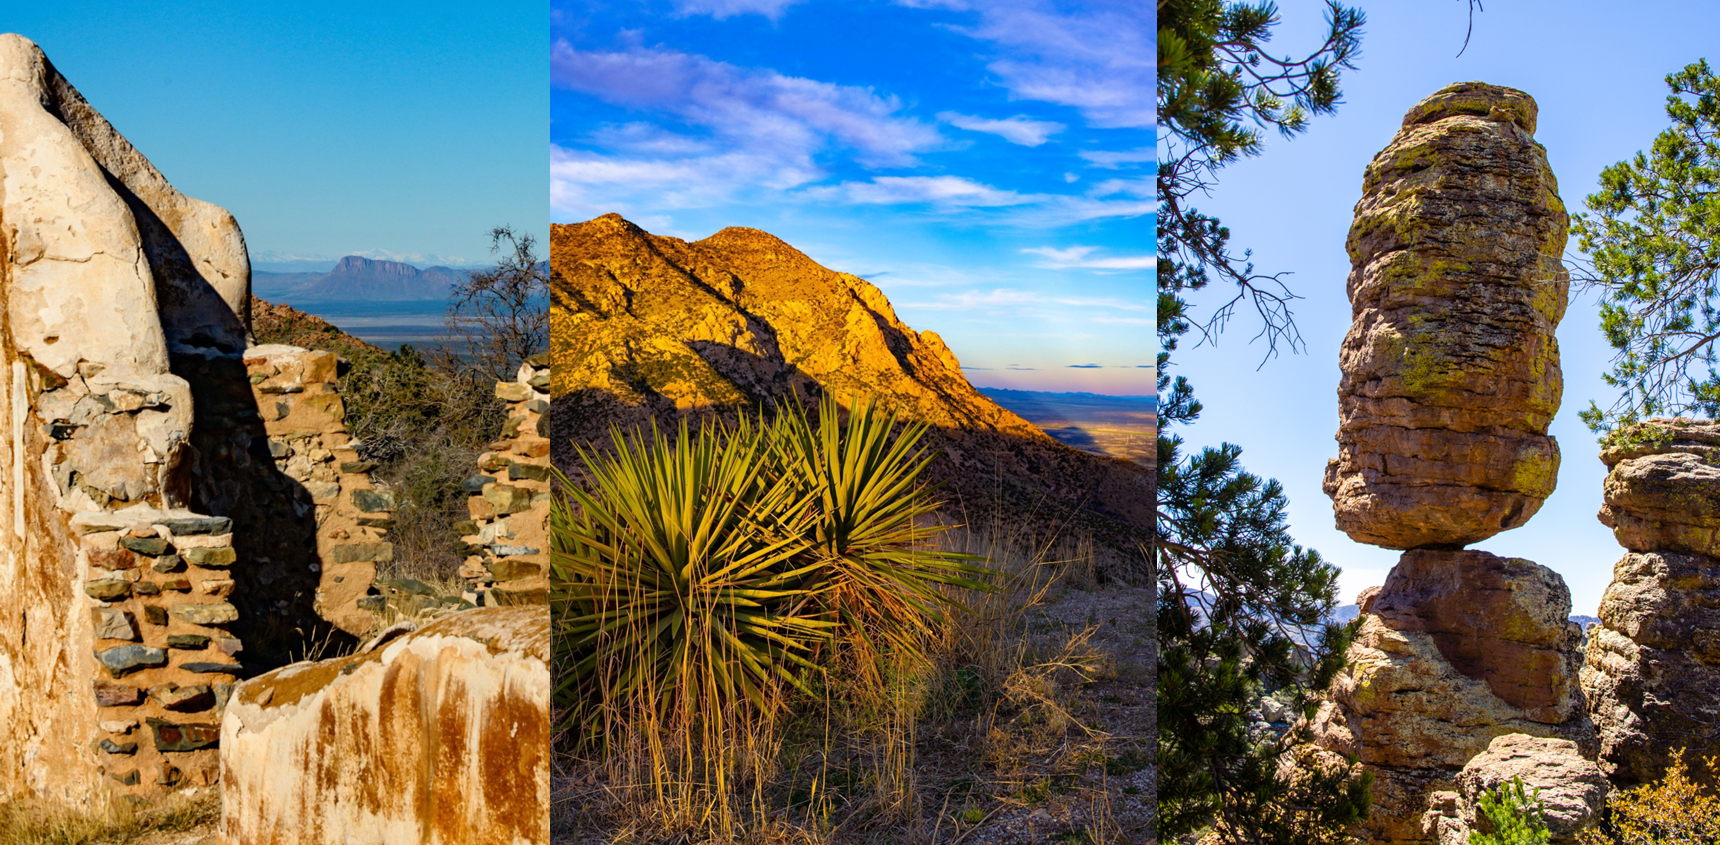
(1654, 662)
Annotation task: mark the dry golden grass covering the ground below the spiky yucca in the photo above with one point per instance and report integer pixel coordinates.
(997, 727)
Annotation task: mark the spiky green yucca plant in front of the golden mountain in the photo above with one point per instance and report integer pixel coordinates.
(720, 569)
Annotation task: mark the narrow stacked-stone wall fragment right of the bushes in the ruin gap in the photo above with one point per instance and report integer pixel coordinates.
(508, 536)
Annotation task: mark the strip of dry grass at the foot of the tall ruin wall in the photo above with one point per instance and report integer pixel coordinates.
(121, 823)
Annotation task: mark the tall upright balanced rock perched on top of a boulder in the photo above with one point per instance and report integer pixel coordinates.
(1451, 367)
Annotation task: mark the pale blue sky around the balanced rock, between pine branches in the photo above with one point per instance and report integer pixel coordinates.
(1599, 77)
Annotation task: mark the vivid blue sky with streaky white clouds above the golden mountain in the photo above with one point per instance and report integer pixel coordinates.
(986, 164)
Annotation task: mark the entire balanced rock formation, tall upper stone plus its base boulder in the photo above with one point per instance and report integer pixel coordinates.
(1451, 381)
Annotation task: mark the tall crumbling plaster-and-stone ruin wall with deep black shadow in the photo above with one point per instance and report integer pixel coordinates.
(178, 502)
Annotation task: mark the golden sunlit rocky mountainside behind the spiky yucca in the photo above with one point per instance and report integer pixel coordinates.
(648, 326)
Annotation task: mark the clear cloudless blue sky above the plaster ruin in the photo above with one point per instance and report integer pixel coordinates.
(383, 128)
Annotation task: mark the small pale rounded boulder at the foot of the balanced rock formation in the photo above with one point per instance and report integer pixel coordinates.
(1569, 787)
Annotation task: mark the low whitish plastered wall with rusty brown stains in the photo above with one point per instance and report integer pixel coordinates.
(436, 737)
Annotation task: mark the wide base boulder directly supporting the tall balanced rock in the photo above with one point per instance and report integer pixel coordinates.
(1456, 650)
